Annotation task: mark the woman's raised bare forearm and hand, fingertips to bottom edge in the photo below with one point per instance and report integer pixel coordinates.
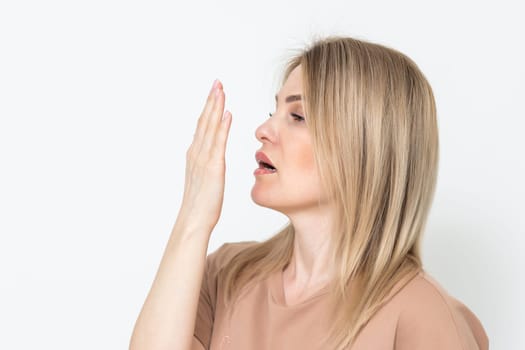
(169, 313)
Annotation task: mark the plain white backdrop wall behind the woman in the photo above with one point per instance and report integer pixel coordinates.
(99, 102)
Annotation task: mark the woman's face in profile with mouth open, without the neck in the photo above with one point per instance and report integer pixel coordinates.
(286, 142)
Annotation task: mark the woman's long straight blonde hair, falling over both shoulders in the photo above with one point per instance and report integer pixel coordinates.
(372, 119)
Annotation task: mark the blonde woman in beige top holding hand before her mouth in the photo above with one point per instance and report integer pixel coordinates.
(353, 156)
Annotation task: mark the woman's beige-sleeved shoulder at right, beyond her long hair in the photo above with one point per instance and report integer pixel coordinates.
(430, 317)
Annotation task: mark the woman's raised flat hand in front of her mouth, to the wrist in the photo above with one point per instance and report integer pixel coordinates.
(205, 165)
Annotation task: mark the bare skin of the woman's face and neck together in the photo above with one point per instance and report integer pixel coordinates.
(294, 190)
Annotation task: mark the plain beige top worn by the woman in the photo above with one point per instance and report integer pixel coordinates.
(420, 316)
